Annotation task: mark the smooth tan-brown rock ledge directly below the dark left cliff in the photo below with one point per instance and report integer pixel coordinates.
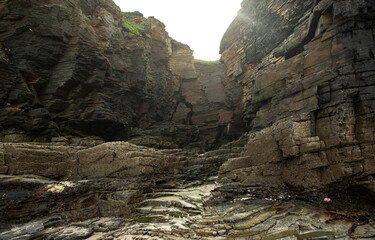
(113, 159)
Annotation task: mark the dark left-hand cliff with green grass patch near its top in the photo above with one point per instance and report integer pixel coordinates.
(80, 67)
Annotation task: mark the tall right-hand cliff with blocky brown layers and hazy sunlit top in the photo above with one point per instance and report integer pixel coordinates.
(307, 68)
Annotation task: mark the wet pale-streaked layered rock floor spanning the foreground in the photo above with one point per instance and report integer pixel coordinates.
(179, 210)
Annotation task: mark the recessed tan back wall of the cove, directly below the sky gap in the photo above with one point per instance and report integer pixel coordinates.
(207, 111)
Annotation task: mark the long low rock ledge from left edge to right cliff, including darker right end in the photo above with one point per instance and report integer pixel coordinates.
(111, 160)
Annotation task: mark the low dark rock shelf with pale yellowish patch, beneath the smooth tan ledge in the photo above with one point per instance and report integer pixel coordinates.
(26, 198)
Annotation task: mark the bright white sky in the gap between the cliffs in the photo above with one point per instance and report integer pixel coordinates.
(199, 23)
